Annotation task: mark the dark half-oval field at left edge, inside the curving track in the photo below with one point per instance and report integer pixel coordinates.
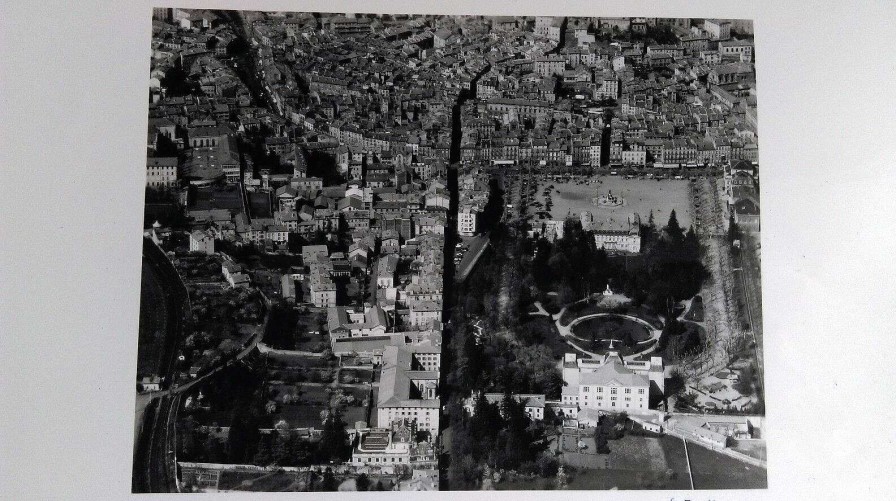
(153, 311)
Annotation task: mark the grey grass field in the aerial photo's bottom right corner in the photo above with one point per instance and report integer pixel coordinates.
(712, 470)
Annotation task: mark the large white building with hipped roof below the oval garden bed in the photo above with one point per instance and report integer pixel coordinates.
(609, 384)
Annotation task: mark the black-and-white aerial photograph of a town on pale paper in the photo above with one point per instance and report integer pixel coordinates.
(400, 252)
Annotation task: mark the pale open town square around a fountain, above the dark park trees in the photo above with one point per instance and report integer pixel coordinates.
(641, 196)
